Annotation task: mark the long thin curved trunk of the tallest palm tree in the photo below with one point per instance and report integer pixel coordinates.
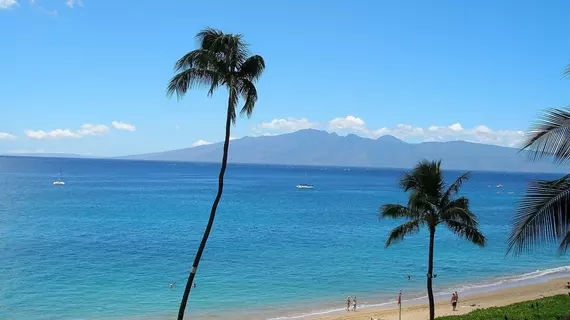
(212, 215)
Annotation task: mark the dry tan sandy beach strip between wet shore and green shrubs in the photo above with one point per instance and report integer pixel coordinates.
(466, 303)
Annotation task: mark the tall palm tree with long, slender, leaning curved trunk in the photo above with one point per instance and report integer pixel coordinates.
(222, 60)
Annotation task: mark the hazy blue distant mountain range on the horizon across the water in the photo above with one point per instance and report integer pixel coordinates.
(315, 147)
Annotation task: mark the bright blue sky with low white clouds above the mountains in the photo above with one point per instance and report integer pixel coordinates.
(421, 70)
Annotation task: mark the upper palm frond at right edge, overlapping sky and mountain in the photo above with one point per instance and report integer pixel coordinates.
(551, 136)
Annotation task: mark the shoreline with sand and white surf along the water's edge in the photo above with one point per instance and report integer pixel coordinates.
(487, 293)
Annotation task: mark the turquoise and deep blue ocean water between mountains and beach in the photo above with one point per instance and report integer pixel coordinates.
(108, 243)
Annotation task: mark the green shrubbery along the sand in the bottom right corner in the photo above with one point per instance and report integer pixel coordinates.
(550, 308)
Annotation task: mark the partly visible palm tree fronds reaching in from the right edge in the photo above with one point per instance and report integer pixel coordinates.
(542, 216)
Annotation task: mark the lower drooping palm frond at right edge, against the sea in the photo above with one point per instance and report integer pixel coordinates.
(542, 216)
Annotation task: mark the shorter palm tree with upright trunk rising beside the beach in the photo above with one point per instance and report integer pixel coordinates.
(431, 203)
